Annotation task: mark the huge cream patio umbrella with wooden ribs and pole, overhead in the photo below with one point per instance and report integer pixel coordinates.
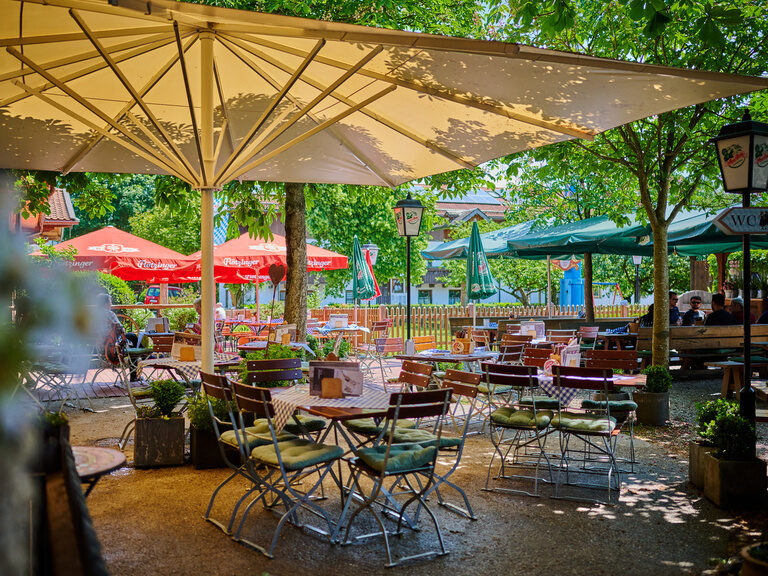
(210, 95)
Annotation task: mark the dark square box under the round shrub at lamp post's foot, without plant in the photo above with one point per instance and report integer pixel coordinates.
(735, 482)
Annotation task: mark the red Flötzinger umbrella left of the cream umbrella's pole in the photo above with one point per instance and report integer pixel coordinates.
(128, 257)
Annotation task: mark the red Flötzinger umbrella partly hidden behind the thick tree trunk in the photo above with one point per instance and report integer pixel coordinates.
(239, 260)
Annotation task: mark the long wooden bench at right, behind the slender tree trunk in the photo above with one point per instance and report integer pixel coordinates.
(692, 343)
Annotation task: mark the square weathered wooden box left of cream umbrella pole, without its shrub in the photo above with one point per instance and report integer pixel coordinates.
(159, 442)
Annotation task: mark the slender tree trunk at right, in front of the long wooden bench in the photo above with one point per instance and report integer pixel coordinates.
(660, 295)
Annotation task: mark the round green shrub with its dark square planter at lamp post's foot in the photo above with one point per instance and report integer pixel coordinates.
(732, 474)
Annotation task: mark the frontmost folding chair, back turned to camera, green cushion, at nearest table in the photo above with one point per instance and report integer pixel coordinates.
(409, 467)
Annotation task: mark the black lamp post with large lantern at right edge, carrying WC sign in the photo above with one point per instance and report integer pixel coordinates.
(742, 154)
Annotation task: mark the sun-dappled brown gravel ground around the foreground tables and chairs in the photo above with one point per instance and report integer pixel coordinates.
(150, 520)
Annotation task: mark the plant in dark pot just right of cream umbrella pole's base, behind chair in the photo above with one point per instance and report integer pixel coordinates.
(203, 444)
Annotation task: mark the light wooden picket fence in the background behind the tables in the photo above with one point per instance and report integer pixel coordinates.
(435, 320)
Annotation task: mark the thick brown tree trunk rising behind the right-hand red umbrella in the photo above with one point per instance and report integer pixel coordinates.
(296, 248)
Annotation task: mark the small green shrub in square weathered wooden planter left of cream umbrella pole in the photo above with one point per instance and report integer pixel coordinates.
(160, 430)
